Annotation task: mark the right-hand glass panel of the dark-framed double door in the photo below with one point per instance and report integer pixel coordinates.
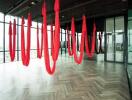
(119, 41)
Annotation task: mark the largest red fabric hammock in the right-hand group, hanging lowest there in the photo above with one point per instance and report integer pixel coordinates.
(79, 59)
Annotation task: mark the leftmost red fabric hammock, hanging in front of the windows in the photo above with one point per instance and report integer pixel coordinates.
(12, 34)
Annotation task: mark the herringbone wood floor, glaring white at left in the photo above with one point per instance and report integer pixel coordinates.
(88, 81)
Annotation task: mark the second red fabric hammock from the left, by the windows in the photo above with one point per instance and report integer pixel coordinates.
(25, 53)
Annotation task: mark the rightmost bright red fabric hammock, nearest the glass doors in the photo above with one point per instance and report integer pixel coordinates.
(89, 52)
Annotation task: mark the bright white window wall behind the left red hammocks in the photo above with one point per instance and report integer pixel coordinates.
(4, 38)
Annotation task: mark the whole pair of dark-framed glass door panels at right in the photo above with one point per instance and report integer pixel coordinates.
(115, 39)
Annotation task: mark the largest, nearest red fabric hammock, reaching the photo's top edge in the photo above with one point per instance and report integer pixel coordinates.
(56, 38)
